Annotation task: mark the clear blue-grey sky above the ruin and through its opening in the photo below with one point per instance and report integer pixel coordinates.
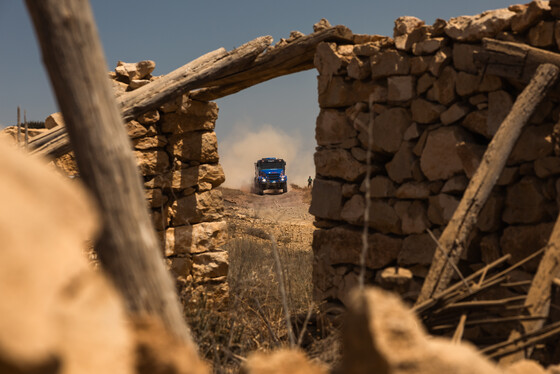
(173, 33)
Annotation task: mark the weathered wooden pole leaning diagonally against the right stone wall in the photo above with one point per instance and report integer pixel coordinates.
(454, 237)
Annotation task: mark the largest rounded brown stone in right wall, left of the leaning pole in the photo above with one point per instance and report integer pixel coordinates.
(441, 145)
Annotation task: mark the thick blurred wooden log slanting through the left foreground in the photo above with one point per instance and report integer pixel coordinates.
(127, 247)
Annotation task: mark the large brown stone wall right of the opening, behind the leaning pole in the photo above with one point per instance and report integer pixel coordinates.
(435, 112)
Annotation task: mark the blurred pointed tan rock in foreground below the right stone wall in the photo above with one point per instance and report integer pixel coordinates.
(383, 336)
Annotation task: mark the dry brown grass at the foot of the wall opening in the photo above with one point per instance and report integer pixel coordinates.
(253, 319)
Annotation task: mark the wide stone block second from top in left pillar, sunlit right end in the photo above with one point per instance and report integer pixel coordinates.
(200, 146)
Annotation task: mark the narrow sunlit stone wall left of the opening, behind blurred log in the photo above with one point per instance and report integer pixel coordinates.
(177, 153)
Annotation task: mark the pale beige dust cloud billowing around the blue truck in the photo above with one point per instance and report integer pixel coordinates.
(244, 146)
